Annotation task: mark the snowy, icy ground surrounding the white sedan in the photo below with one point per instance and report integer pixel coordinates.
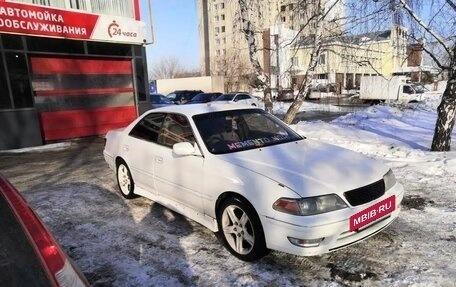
(138, 243)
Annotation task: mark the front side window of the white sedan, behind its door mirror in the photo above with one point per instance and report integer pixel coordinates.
(176, 128)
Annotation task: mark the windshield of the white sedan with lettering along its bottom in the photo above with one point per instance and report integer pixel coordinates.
(238, 130)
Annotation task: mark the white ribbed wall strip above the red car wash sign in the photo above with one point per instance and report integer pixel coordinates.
(123, 8)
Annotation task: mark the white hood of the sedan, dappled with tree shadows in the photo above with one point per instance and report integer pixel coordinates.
(310, 168)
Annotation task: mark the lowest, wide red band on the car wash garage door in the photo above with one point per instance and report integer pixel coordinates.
(80, 123)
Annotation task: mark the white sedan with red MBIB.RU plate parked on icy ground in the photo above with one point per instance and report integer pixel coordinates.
(243, 173)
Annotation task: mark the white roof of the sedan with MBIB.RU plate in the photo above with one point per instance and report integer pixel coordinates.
(196, 109)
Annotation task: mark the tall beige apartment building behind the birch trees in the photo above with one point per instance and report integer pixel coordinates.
(223, 46)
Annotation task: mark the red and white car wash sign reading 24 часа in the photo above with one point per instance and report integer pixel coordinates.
(45, 21)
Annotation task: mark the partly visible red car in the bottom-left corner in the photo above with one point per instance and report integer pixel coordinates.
(29, 254)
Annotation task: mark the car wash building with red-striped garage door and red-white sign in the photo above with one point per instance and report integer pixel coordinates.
(69, 69)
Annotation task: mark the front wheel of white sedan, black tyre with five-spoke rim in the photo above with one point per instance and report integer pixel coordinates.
(240, 229)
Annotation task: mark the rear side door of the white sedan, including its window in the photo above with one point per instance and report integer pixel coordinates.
(139, 150)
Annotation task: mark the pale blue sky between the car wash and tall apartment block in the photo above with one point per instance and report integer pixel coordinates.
(175, 26)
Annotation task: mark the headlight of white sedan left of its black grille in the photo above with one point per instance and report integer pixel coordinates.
(309, 205)
